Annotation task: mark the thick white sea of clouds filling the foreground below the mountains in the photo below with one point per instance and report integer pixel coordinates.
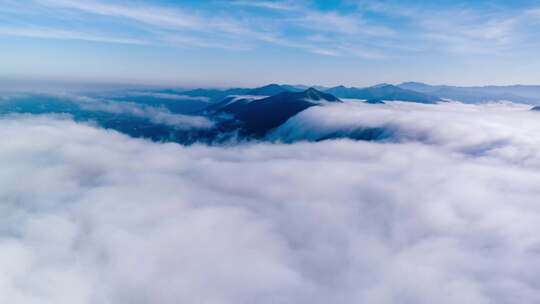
(446, 210)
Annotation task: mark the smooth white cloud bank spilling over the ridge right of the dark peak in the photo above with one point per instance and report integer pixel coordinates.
(485, 128)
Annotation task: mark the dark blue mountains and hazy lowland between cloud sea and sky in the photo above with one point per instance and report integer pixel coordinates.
(242, 113)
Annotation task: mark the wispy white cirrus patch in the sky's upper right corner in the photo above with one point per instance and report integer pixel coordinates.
(464, 28)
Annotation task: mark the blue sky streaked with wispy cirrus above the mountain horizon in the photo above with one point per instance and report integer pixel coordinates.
(242, 42)
